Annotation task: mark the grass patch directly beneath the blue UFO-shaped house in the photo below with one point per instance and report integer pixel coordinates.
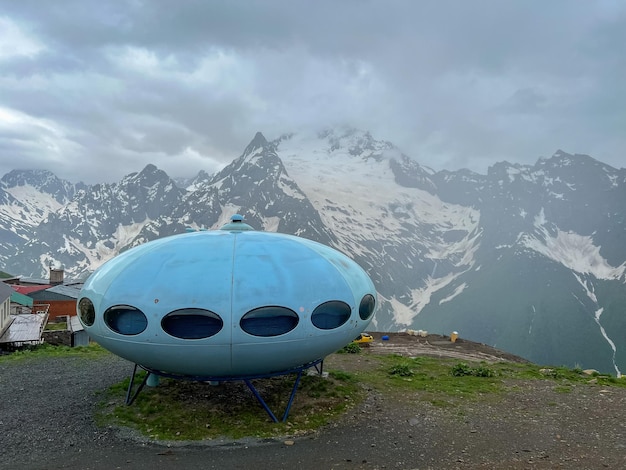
(180, 410)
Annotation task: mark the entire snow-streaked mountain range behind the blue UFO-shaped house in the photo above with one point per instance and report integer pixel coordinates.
(530, 259)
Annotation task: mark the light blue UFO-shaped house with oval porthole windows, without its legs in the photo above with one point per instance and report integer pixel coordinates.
(227, 304)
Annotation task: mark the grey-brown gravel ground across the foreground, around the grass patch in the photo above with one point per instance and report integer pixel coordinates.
(46, 422)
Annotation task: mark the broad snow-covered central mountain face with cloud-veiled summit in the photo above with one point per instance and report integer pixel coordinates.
(410, 241)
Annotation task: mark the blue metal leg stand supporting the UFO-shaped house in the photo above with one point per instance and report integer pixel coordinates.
(247, 380)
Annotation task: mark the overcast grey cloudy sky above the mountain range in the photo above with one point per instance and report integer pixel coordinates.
(94, 89)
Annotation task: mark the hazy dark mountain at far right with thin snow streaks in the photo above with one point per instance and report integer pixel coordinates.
(550, 277)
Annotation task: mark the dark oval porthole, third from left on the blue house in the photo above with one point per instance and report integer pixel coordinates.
(192, 323)
